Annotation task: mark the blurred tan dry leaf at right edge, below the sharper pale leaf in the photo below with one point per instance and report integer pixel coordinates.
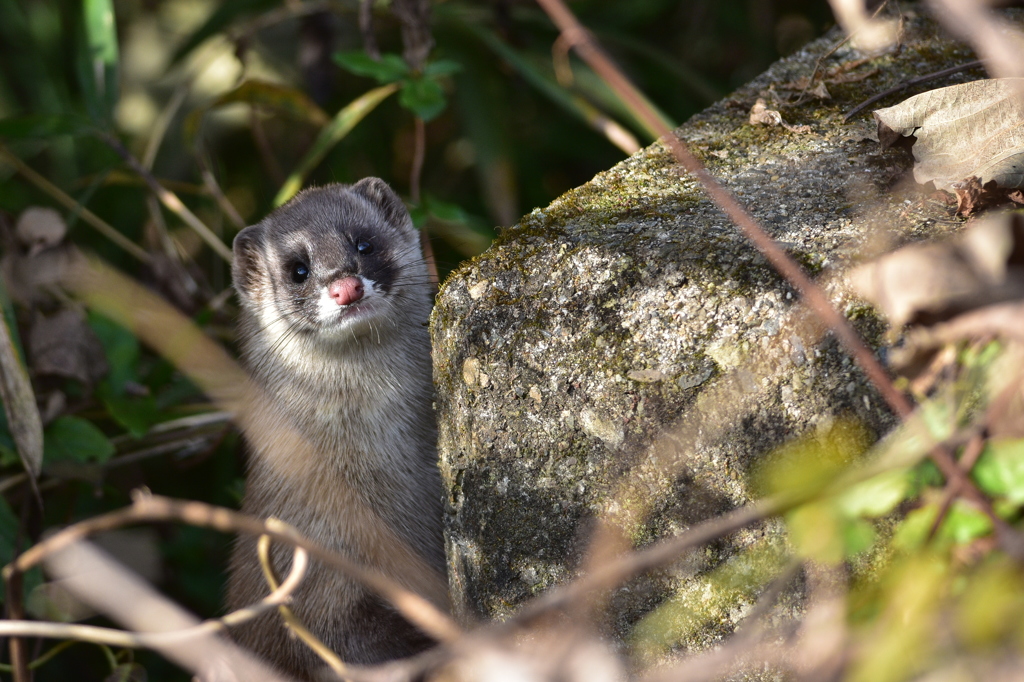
(925, 284)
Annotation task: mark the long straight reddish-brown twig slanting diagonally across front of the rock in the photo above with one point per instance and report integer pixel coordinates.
(781, 261)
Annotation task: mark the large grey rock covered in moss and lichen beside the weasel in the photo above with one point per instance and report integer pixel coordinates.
(627, 353)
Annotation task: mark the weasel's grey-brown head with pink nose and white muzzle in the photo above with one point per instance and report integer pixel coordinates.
(334, 266)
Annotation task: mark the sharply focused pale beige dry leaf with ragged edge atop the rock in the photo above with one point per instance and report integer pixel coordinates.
(962, 132)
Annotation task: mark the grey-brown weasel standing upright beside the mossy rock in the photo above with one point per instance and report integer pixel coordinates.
(335, 300)
